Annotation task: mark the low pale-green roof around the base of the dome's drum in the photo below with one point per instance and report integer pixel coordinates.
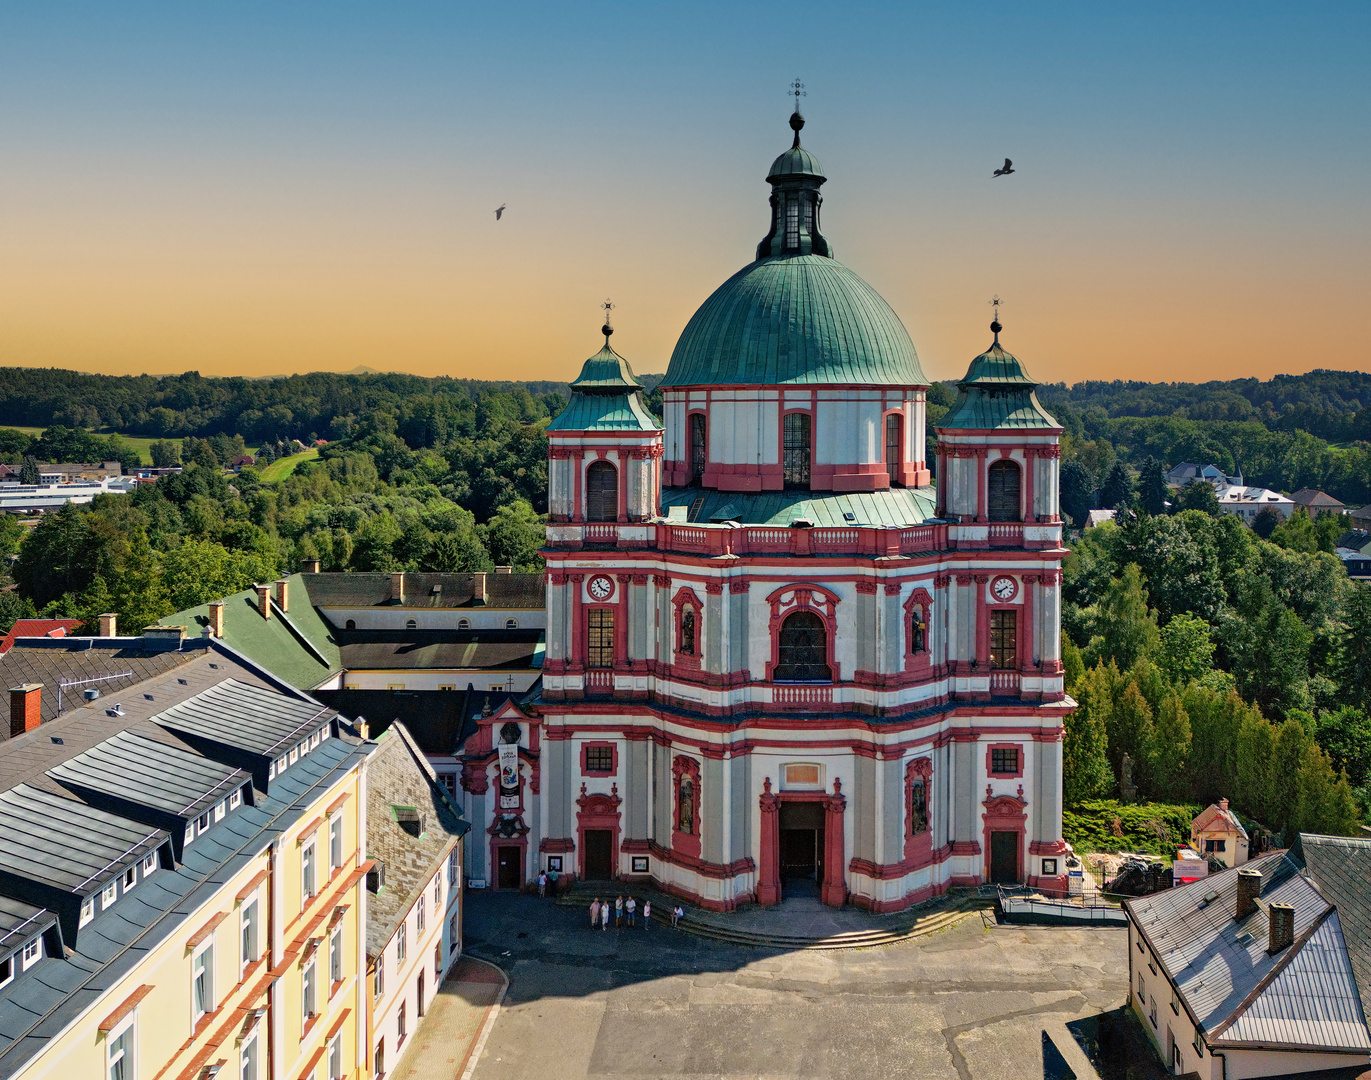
(892, 508)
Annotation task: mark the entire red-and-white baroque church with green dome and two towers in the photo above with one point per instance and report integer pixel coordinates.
(781, 661)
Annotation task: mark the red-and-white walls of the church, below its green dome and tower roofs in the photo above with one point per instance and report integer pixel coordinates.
(609, 748)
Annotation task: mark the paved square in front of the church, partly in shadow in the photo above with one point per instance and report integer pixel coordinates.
(975, 1003)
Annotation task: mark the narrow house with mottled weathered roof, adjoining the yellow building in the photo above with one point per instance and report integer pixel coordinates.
(415, 913)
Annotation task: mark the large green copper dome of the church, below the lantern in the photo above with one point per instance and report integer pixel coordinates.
(794, 319)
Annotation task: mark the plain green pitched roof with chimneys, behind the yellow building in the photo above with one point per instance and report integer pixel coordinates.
(271, 642)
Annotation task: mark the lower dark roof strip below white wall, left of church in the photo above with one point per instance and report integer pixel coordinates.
(492, 650)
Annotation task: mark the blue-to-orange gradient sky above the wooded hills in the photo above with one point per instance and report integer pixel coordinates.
(264, 188)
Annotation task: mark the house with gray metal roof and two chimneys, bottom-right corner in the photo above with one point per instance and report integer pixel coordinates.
(1263, 970)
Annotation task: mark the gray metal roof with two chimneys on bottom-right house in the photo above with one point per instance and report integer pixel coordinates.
(1303, 997)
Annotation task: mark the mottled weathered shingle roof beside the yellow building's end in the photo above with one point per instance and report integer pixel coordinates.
(397, 775)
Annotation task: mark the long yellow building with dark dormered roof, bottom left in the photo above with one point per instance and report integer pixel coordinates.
(182, 878)
